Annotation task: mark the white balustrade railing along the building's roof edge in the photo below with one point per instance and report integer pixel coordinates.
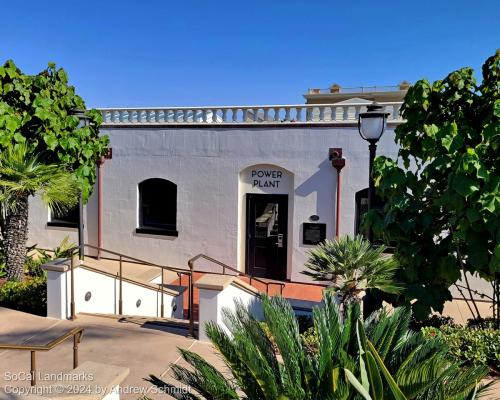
(248, 115)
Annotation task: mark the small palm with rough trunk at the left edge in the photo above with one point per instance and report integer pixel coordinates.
(22, 174)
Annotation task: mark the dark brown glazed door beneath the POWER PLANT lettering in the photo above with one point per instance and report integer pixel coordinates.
(267, 226)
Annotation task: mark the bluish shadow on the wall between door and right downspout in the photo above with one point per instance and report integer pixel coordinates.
(324, 183)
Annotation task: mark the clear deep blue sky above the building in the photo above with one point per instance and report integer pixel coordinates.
(199, 52)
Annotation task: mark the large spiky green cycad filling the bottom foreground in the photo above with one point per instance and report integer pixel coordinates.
(406, 363)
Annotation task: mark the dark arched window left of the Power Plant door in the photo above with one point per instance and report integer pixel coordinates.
(158, 207)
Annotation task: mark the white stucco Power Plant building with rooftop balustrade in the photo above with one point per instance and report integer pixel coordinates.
(251, 186)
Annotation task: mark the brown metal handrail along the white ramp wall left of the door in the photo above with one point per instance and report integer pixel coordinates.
(121, 258)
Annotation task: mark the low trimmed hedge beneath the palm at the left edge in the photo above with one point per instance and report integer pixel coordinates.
(29, 296)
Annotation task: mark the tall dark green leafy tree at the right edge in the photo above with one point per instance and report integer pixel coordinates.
(443, 192)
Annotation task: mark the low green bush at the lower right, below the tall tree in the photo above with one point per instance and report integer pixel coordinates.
(470, 346)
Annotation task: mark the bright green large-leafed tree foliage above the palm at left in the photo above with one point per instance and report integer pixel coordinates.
(38, 110)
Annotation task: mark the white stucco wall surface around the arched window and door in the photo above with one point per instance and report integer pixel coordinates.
(208, 165)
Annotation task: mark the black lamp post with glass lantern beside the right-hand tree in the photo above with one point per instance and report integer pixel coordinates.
(371, 126)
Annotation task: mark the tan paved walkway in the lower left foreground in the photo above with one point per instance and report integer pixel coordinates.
(145, 349)
